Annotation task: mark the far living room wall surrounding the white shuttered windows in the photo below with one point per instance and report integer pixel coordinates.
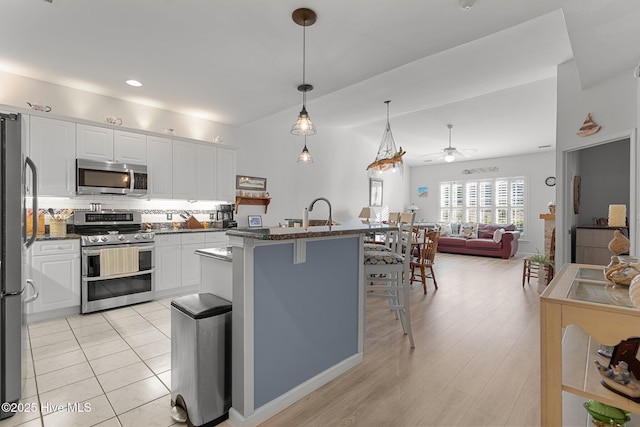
(535, 167)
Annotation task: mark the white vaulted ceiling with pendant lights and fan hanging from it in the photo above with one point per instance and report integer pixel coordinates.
(489, 71)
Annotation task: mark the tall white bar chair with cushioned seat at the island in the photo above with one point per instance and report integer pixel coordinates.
(386, 275)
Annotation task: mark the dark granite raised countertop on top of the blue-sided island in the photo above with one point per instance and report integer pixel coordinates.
(287, 233)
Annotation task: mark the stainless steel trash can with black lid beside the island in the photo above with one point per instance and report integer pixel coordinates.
(201, 358)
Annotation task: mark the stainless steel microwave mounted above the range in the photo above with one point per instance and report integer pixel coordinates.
(93, 177)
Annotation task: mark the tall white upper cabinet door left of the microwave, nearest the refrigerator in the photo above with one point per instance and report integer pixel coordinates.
(53, 149)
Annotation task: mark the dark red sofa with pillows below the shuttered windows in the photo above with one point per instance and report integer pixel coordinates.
(493, 240)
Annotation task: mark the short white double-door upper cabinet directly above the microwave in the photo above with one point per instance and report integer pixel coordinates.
(103, 144)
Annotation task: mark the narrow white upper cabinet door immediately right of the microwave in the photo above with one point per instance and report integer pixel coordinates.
(160, 167)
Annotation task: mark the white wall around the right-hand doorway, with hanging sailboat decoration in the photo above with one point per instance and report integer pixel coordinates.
(613, 104)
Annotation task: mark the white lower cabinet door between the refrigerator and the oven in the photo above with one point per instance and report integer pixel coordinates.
(57, 279)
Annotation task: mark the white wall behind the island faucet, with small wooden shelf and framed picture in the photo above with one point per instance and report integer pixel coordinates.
(338, 173)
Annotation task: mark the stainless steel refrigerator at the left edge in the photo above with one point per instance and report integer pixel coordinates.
(16, 170)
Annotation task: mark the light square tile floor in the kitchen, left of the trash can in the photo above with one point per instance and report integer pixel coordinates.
(112, 367)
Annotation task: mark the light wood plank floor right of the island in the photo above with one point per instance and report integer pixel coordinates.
(476, 361)
